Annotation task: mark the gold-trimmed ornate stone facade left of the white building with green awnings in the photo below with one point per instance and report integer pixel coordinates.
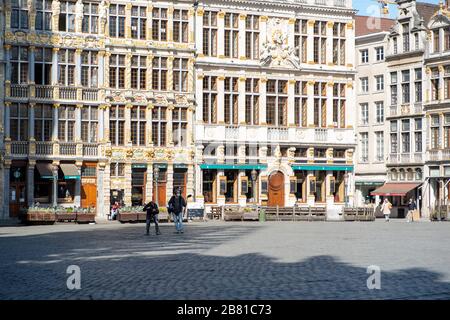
(98, 94)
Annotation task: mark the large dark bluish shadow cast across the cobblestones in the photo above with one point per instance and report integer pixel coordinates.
(125, 264)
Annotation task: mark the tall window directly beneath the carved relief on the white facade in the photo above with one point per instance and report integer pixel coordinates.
(276, 104)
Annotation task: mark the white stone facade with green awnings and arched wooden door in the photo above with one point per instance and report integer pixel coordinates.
(275, 103)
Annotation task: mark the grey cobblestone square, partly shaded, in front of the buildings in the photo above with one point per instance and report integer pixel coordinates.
(218, 260)
